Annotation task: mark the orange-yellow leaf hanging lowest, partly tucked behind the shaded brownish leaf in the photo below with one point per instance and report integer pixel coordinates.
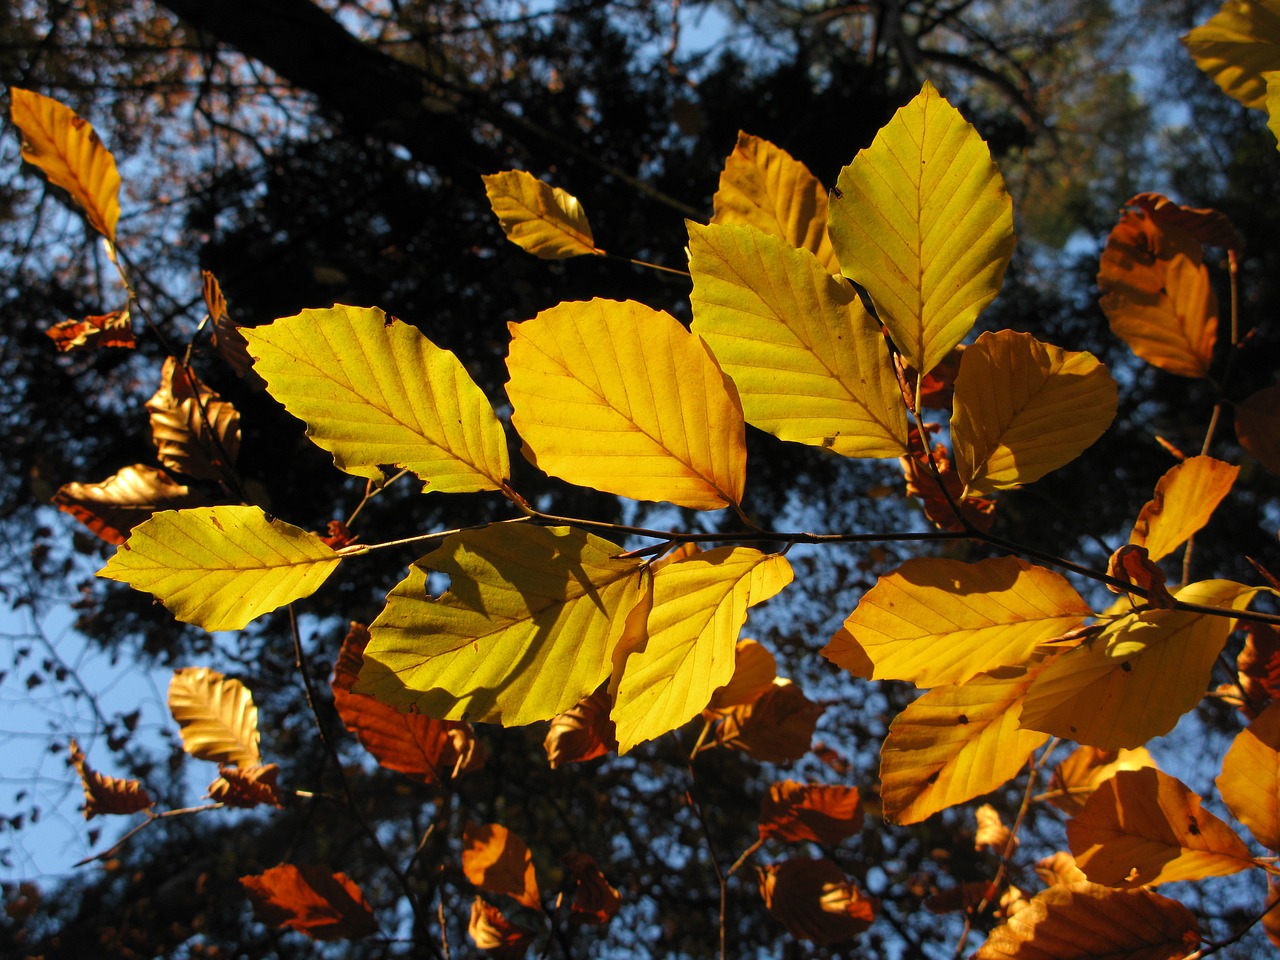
(957, 743)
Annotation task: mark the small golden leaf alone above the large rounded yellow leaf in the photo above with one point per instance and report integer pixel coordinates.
(543, 220)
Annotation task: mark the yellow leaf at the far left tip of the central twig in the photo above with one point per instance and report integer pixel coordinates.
(220, 568)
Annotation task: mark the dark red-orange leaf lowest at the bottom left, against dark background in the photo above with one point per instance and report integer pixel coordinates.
(312, 900)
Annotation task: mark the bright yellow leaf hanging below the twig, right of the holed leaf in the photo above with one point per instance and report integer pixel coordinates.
(700, 606)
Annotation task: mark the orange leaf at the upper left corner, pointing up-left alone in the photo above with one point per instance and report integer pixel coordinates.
(70, 154)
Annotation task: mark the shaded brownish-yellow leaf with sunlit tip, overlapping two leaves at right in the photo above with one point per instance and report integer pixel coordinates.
(1140, 676)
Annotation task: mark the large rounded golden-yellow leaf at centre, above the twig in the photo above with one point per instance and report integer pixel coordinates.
(623, 399)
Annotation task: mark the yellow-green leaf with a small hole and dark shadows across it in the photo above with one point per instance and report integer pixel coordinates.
(527, 630)
